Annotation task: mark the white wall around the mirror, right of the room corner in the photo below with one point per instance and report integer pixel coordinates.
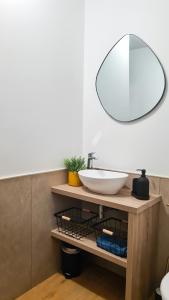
(144, 143)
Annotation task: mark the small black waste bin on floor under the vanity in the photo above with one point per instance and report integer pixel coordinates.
(71, 260)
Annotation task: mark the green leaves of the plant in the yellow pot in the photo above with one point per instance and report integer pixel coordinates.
(75, 164)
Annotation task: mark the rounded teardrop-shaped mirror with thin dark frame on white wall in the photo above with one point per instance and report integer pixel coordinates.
(131, 80)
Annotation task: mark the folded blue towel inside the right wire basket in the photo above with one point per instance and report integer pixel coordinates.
(113, 244)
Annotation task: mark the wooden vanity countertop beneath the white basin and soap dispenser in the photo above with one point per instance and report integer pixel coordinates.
(122, 201)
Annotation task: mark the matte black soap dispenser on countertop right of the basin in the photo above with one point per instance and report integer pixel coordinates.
(141, 186)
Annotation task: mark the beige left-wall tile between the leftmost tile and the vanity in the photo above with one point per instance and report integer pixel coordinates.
(45, 250)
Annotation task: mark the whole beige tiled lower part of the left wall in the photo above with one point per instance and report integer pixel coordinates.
(28, 254)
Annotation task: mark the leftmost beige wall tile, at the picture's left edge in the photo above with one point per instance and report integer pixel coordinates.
(15, 237)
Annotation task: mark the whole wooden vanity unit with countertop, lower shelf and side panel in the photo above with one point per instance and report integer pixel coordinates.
(142, 236)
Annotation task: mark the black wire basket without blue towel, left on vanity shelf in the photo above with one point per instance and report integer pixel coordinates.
(76, 222)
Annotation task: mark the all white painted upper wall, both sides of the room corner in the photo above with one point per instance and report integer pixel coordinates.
(41, 75)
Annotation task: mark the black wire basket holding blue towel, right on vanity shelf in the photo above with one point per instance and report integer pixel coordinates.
(111, 235)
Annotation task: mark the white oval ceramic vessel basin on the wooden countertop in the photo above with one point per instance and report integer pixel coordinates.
(103, 182)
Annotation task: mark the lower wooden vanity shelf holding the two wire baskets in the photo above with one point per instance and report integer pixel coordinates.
(89, 244)
